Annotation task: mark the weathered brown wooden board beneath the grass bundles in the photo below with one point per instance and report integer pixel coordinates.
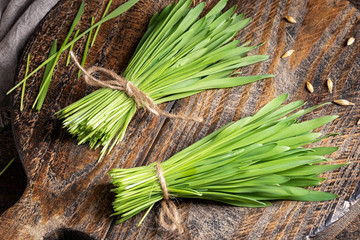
(68, 189)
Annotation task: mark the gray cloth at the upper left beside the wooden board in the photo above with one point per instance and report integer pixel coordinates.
(18, 19)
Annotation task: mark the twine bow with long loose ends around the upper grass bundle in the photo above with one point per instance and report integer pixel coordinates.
(120, 83)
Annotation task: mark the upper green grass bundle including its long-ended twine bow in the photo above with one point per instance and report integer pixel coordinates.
(180, 55)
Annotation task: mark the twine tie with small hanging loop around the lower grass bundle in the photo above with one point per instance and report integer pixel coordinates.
(169, 217)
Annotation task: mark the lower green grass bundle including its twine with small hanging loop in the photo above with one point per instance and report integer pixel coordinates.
(245, 163)
